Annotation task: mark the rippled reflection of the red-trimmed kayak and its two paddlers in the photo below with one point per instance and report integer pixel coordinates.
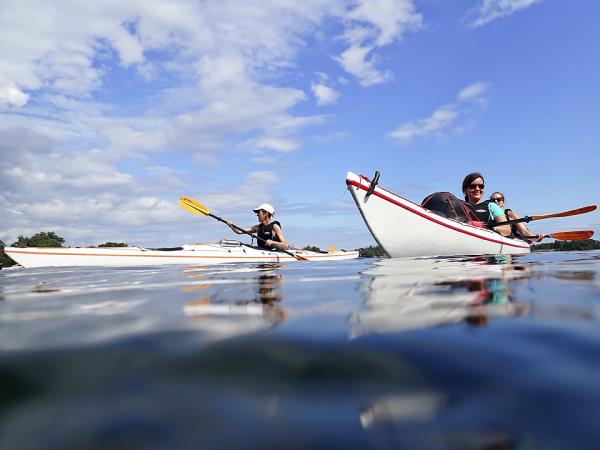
(410, 294)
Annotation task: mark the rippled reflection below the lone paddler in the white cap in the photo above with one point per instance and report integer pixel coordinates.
(244, 300)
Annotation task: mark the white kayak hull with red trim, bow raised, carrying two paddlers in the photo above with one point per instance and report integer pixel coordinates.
(405, 229)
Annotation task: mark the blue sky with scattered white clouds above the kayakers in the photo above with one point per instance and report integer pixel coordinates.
(111, 110)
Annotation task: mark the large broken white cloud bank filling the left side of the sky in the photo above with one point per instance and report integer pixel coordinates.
(96, 96)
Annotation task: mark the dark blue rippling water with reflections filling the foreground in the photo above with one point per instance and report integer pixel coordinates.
(479, 353)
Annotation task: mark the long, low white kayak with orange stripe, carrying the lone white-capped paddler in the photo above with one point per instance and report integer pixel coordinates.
(225, 251)
